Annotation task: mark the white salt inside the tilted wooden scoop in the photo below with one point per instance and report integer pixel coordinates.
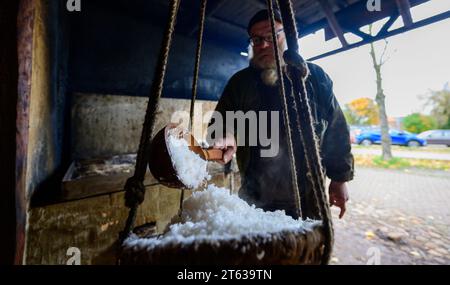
(190, 167)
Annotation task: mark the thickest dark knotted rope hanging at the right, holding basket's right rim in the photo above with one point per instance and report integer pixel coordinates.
(315, 174)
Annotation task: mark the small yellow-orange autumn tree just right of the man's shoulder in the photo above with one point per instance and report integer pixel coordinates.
(362, 111)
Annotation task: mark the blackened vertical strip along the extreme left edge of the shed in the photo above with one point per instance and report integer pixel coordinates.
(8, 102)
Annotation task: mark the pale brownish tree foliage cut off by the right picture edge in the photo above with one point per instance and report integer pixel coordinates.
(439, 101)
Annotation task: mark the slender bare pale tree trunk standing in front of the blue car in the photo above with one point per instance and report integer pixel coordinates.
(380, 98)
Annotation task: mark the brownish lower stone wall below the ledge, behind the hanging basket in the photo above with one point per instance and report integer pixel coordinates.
(93, 224)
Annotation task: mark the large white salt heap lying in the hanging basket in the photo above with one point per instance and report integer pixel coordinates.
(216, 214)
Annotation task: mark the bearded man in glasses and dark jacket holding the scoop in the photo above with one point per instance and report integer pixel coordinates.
(266, 181)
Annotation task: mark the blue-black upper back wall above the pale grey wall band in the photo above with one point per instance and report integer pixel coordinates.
(114, 51)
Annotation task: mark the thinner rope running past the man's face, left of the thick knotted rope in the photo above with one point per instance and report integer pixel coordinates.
(287, 123)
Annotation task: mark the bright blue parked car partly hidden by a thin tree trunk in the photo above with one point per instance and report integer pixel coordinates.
(397, 137)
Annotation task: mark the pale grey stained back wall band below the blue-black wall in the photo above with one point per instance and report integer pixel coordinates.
(104, 125)
